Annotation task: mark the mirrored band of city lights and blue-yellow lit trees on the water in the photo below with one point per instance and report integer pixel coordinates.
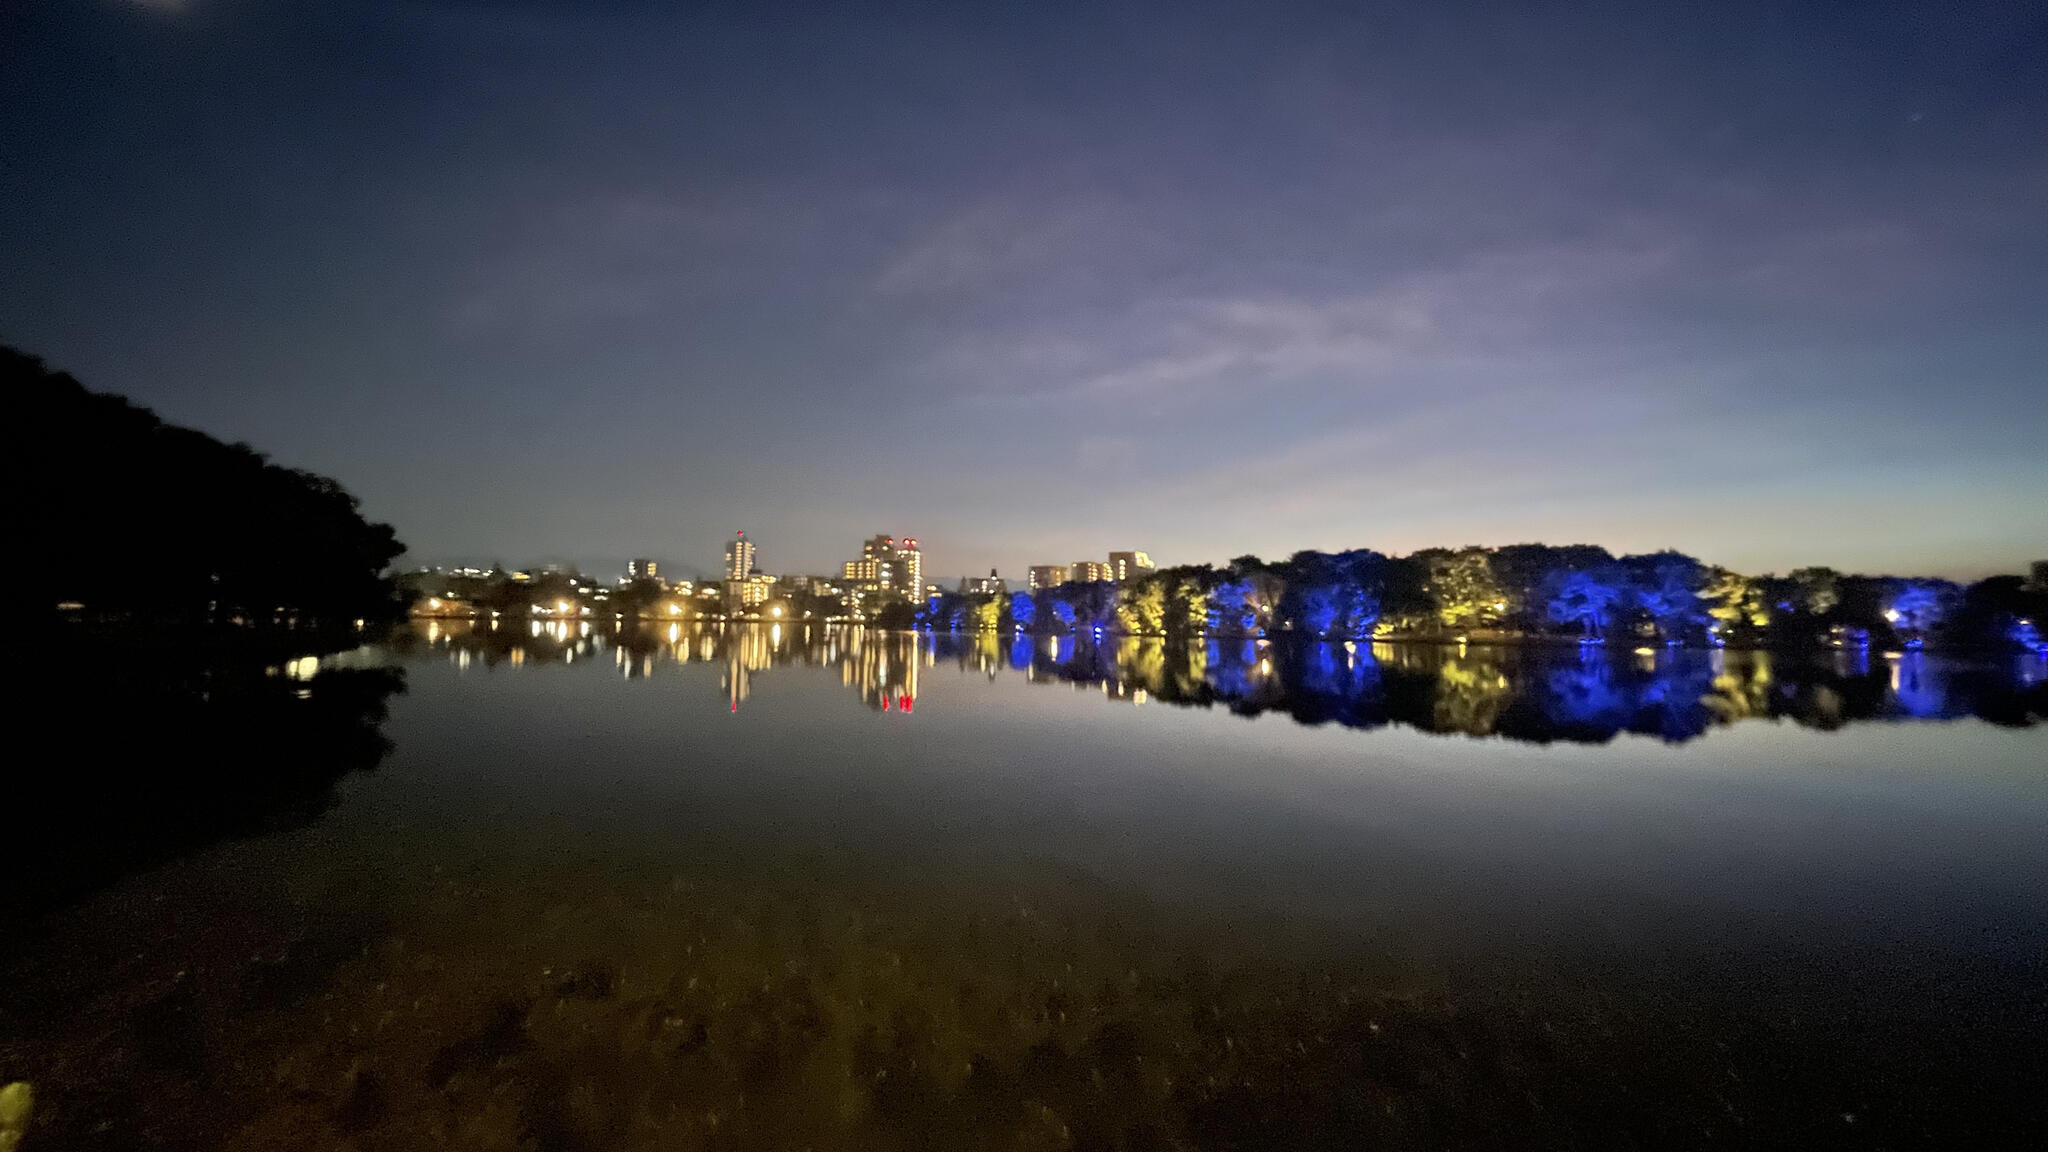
(1517, 694)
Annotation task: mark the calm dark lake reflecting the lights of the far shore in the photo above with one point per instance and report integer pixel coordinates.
(833, 889)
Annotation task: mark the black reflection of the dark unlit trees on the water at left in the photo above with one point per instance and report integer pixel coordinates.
(171, 745)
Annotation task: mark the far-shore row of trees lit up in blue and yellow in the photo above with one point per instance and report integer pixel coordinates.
(1568, 593)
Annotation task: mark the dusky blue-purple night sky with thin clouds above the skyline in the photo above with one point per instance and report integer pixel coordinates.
(585, 282)
